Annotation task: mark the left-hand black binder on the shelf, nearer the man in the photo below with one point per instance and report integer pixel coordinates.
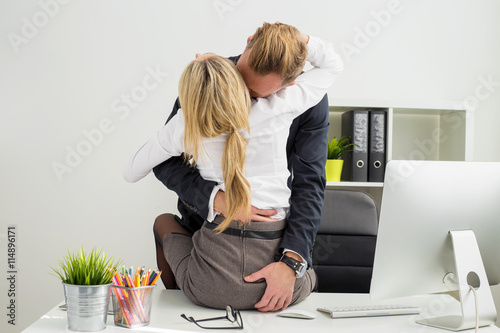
(355, 126)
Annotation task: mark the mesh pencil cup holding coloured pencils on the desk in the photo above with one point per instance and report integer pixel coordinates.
(132, 306)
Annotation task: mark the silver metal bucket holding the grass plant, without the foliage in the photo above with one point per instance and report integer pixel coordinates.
(87, 306)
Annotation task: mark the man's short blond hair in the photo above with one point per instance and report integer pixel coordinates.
(277, 48)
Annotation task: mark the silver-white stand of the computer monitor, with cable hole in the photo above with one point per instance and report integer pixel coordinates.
(470, 271)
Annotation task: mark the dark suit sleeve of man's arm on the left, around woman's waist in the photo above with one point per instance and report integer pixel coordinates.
(184, 180)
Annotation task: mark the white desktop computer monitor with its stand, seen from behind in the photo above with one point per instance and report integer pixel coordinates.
(431, 215)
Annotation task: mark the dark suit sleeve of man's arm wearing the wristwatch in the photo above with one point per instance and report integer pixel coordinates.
(306, 151)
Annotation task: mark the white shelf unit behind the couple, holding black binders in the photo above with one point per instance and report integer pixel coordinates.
(438, 131)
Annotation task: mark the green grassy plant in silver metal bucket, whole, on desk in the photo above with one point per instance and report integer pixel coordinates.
(87, 280)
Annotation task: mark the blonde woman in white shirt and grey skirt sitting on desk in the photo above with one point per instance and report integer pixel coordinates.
(225, 139)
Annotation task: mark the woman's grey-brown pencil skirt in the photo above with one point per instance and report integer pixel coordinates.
(209, 267)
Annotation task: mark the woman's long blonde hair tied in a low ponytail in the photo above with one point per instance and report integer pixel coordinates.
(215, 100)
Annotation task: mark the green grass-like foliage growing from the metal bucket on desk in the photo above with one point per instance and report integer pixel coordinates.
(80, 268)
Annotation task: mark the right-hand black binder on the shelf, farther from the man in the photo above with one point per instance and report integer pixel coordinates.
(377, 153)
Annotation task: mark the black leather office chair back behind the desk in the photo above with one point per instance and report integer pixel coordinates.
(344, 249)
